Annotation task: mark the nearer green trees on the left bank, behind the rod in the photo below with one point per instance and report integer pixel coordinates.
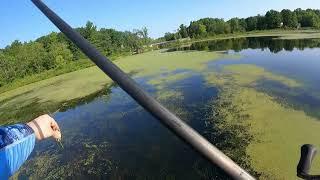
(55, 51)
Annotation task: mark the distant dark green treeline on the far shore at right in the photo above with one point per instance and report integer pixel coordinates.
(286, 19)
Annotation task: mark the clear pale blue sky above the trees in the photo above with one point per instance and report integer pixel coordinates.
(21, 20)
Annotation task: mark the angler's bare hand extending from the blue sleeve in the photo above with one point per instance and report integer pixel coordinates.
(45, 127)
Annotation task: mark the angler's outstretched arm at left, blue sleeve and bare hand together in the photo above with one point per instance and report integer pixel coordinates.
(17, 142)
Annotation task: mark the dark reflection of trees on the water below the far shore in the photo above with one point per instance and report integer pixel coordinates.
(238, 44)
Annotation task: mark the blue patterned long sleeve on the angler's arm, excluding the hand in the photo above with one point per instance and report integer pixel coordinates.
(16, 144)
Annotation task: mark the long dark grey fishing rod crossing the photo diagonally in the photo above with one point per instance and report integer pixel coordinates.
(175, 124)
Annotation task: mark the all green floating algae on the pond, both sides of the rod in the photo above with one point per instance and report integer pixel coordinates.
(277, 130)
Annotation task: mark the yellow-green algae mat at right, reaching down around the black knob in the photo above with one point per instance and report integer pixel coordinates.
(277, 131)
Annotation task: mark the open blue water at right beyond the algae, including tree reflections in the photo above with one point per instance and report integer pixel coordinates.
(294, 58)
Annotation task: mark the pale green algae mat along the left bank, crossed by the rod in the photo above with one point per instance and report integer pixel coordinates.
(48, 95)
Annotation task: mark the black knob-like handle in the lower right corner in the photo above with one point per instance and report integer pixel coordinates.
(308, 152)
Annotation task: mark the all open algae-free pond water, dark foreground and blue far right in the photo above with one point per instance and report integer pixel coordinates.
(112, 137)
